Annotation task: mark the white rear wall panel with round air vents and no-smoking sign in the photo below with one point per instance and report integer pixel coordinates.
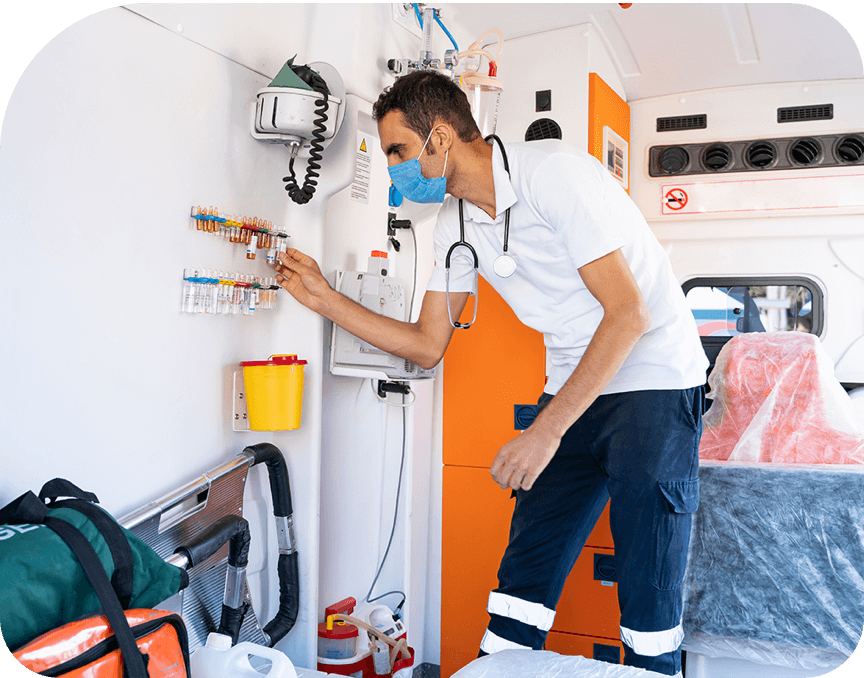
(825, 243)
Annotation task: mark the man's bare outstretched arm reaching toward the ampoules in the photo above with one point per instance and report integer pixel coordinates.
(422, 342)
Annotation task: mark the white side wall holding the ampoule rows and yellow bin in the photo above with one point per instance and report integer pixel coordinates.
(104, 150)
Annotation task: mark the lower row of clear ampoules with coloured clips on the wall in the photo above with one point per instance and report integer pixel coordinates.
(207, 291)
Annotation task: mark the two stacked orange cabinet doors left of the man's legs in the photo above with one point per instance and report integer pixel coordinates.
(489, 368)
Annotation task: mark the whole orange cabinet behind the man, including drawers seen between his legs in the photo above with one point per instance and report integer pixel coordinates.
(495, 365)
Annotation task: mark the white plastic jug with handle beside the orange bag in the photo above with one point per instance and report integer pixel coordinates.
(217, 659)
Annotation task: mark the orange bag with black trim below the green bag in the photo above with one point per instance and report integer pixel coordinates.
(89, 649)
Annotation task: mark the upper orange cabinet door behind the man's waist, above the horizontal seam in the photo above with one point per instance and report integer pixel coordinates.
(497, 363)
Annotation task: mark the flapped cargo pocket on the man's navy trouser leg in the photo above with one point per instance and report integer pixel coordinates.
(677, 501)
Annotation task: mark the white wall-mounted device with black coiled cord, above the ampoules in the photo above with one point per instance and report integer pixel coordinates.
(287, 115)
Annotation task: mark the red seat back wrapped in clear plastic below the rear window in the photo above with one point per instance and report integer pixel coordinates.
(776, 400)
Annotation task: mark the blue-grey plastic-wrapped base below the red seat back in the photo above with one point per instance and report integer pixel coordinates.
(776, 564)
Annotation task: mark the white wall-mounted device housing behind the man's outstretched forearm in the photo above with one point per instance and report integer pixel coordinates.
(353, 357)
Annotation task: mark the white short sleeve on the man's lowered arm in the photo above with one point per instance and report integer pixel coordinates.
(575, 195)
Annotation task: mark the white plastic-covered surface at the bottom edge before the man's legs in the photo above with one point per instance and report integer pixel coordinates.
(543, 664)
